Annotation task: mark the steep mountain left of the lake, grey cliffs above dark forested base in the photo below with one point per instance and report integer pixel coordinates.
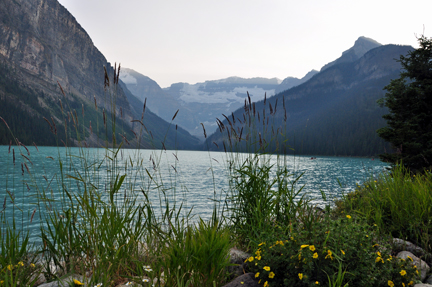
(52, 72)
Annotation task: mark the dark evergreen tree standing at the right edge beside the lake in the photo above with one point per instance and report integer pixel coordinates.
(409, 99)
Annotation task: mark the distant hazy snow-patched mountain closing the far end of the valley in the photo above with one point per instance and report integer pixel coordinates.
(197, 103)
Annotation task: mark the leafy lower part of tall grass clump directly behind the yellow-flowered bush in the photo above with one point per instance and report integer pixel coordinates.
(259, 198)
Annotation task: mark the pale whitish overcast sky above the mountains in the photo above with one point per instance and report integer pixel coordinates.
(193, 41)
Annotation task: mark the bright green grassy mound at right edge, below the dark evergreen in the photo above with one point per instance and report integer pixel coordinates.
(400, 204)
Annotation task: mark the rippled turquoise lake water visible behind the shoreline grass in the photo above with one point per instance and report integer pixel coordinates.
(195, 178)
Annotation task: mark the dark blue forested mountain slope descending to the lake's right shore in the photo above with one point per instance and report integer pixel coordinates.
(334, 113)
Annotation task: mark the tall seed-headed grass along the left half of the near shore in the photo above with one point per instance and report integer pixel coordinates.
(96, 217)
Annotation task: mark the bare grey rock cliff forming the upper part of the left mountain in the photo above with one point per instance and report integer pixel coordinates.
(46, 45)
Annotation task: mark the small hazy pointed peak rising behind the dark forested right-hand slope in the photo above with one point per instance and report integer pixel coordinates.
(361, 46)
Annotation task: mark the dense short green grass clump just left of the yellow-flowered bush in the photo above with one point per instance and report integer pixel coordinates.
(197, 255)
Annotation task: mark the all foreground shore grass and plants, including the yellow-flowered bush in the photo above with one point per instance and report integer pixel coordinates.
(98, 218)
